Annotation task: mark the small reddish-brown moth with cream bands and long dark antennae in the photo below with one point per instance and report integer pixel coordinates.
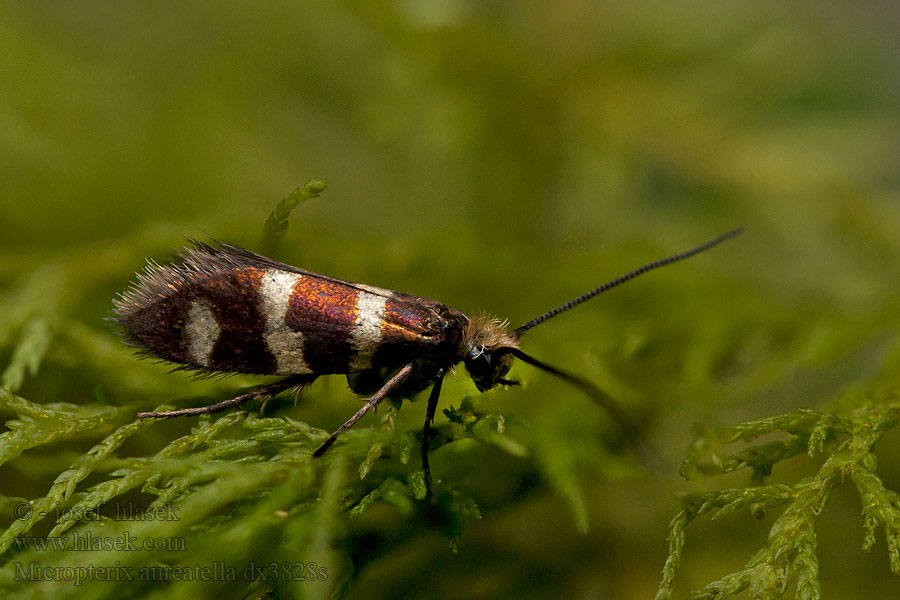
(221, 309)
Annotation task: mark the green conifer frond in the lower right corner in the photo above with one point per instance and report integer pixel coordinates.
(789, 558)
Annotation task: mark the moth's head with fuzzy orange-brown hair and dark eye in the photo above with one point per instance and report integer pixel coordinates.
(485, 350)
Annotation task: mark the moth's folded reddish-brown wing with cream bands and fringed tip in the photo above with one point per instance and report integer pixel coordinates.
(207, 310)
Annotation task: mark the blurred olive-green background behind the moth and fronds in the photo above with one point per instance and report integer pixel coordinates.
(501, 156)
